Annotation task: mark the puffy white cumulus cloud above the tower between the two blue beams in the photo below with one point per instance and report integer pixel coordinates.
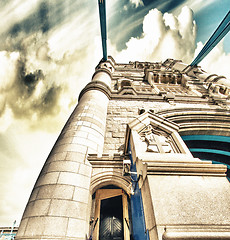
(164, 36)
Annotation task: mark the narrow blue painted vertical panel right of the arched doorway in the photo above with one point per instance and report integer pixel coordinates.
(137, 211)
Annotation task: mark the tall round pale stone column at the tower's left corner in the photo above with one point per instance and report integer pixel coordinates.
(58, 207)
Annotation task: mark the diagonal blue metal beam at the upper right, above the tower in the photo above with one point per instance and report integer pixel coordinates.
(220, 32)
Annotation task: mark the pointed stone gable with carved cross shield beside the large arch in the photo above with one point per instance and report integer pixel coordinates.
(167, 142)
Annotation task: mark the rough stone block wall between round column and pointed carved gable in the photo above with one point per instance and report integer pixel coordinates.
(121, 112)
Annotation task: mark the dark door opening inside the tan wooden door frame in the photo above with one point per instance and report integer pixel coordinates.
(111, 219)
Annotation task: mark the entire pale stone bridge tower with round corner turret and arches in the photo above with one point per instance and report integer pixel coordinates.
(120, 168)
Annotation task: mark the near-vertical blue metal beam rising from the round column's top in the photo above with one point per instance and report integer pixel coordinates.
(102, 13)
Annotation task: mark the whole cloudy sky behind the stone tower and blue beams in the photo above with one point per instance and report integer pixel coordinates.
(48, 52)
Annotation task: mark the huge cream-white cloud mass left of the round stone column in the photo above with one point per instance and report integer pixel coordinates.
(59, 64)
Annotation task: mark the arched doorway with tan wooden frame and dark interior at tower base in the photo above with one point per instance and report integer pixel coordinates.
(111, 215)
